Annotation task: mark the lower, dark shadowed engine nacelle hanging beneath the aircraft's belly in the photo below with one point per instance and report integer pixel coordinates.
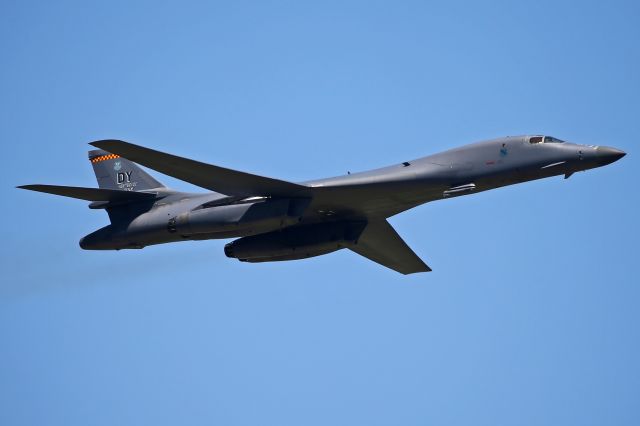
(299, 242)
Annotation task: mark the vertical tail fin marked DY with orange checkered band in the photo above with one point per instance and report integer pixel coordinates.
(115, 172)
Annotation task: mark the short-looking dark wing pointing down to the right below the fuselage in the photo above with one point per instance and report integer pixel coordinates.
(382, 244)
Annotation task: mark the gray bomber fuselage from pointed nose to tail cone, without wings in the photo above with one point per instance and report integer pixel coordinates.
(381, 193)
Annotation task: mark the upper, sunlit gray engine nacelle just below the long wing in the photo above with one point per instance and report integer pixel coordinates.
(262, 216)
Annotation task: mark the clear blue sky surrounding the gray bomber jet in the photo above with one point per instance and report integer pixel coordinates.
(530, 317)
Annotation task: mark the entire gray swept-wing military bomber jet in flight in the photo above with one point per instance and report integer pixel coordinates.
(277, 220)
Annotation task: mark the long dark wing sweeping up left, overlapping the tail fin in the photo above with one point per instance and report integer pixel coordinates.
(215, 178)
